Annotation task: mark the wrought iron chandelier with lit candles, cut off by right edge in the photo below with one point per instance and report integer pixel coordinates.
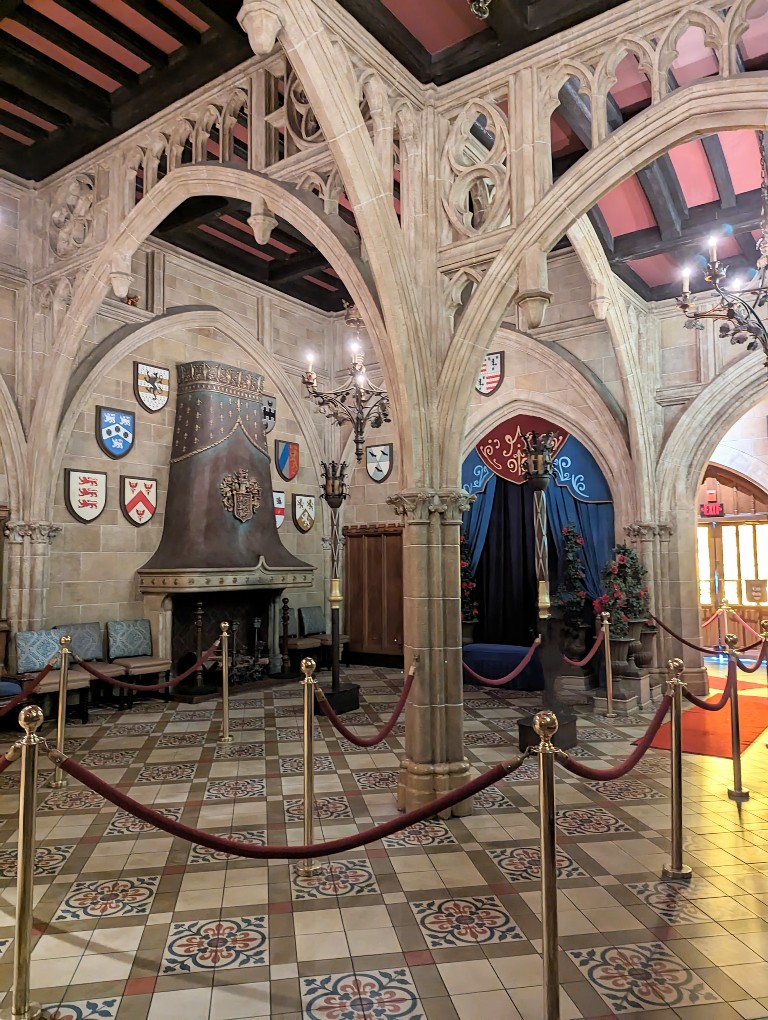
(738, 307)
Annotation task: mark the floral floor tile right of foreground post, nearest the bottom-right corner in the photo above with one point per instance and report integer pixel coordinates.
(640, 978)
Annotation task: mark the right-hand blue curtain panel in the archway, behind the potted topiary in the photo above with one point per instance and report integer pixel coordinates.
(593, 521)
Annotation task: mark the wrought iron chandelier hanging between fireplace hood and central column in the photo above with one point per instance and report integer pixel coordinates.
(361, 403)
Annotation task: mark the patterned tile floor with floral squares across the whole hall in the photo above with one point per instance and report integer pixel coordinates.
(440, 923)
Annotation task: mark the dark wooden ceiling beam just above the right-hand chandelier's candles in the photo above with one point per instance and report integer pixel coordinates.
(703, 221)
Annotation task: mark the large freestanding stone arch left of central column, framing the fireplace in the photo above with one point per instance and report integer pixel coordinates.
(337, 241)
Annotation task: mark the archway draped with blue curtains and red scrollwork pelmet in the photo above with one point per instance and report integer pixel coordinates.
(499, 527)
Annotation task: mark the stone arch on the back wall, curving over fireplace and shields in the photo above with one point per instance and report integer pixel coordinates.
(124, 341)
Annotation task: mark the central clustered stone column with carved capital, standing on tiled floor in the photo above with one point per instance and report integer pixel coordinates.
(434, 761)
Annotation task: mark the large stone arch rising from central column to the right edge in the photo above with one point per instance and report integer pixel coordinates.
(698, 110)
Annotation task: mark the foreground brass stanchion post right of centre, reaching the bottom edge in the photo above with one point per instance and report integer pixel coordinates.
(546, 726)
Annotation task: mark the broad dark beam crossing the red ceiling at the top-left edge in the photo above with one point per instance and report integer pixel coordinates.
(48, 81)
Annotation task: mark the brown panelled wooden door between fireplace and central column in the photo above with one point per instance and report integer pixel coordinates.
(374, 589)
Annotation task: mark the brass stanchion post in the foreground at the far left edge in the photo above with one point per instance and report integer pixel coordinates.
(31, 720)
